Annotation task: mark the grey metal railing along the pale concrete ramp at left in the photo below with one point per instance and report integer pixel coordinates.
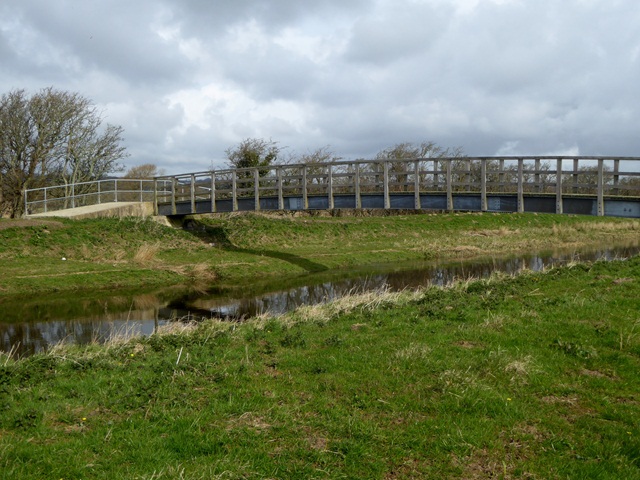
(59, 197)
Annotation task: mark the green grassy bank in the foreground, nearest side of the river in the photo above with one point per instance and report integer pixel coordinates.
(527, 377)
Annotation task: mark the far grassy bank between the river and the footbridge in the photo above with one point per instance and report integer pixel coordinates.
(66, 255)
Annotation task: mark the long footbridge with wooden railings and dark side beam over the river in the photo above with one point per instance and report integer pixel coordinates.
(576, 185)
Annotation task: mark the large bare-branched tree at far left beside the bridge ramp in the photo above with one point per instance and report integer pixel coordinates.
(52, 136)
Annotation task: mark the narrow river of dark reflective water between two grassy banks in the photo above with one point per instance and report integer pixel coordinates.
(27, 327)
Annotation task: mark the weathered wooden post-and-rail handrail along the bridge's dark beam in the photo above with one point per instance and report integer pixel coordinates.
(558, 176)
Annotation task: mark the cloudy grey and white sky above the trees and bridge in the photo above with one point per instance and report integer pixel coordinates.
(189, 79)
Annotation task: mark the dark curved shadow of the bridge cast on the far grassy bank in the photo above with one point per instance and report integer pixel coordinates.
(218, 236)
